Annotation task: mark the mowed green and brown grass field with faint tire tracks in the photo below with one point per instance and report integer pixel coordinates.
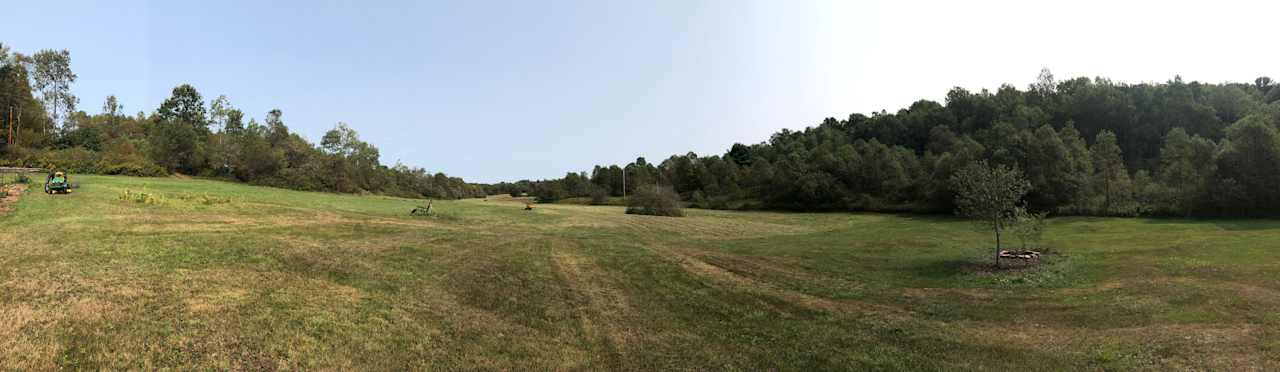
(225, 277)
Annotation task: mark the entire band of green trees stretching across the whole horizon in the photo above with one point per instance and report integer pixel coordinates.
(1087, 146)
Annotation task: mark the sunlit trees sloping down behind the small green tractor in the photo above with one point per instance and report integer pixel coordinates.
(43, 127)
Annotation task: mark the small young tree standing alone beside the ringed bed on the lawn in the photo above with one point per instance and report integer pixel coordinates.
(990, 195)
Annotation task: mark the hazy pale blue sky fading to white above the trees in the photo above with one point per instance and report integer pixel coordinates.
(496, 91)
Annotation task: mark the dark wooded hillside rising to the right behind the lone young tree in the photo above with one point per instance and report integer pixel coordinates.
(1089, 148)
